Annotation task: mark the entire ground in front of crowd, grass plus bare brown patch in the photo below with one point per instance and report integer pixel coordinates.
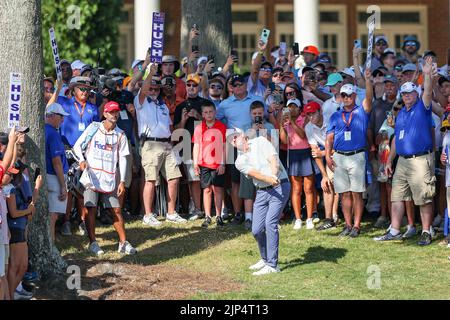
(213, 264)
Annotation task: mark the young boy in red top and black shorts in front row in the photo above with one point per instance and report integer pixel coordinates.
(209, 160)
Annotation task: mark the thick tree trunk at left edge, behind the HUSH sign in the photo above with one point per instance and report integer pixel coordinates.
(21, 52)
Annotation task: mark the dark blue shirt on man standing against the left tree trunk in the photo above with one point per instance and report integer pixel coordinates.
(54, 148)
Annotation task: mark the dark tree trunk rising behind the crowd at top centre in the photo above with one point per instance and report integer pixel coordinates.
(214, 20)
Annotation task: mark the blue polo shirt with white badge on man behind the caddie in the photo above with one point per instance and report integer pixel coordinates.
(71, 129)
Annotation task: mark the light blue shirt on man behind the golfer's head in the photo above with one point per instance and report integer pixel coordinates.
(235, 113)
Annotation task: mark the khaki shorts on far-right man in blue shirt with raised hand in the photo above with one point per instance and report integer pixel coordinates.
(414, 180)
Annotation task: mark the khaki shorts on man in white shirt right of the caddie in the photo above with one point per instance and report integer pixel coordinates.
(158, 157)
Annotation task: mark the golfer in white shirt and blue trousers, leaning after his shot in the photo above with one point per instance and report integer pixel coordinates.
(259, 160)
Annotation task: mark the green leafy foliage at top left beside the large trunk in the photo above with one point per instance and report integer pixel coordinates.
(99, 22)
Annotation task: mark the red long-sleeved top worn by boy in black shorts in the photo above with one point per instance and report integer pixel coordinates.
(211, 142)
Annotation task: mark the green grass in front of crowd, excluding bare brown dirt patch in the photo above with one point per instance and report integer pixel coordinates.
(314, 265)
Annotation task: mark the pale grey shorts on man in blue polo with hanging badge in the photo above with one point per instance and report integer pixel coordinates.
(350, 173)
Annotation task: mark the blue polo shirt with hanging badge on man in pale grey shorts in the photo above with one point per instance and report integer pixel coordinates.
(357, 139)
